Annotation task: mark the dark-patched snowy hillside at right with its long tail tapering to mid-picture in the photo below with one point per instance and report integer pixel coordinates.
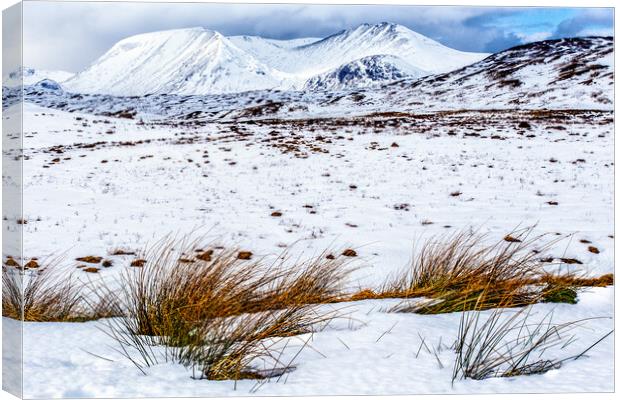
(574, 73)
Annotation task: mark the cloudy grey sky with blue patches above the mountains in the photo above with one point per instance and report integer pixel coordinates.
(69, 36)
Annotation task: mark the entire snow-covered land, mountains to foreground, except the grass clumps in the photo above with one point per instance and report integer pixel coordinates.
(517, 139)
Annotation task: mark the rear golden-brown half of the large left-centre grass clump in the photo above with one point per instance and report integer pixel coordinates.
(167, 292)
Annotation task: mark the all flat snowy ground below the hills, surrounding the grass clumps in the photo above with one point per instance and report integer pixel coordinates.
(372, 186)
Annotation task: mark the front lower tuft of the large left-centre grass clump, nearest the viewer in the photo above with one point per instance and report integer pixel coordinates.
(248, 346)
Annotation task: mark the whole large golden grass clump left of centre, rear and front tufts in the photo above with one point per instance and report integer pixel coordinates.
(216, 313)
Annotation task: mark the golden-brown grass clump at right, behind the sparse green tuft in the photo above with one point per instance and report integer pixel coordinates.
(459, 271)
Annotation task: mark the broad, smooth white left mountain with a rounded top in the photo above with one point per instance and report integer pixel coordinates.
(185, 61)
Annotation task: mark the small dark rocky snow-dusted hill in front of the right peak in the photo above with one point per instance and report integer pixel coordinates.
(365, 72)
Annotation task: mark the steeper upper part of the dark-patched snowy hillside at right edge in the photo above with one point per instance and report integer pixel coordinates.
(577, 72)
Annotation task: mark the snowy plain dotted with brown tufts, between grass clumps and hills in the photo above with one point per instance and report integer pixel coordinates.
(93, 184)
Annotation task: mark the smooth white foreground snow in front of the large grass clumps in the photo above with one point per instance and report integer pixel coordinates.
(371, 351)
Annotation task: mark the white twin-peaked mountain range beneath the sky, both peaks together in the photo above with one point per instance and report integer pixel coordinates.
(201, 61)
